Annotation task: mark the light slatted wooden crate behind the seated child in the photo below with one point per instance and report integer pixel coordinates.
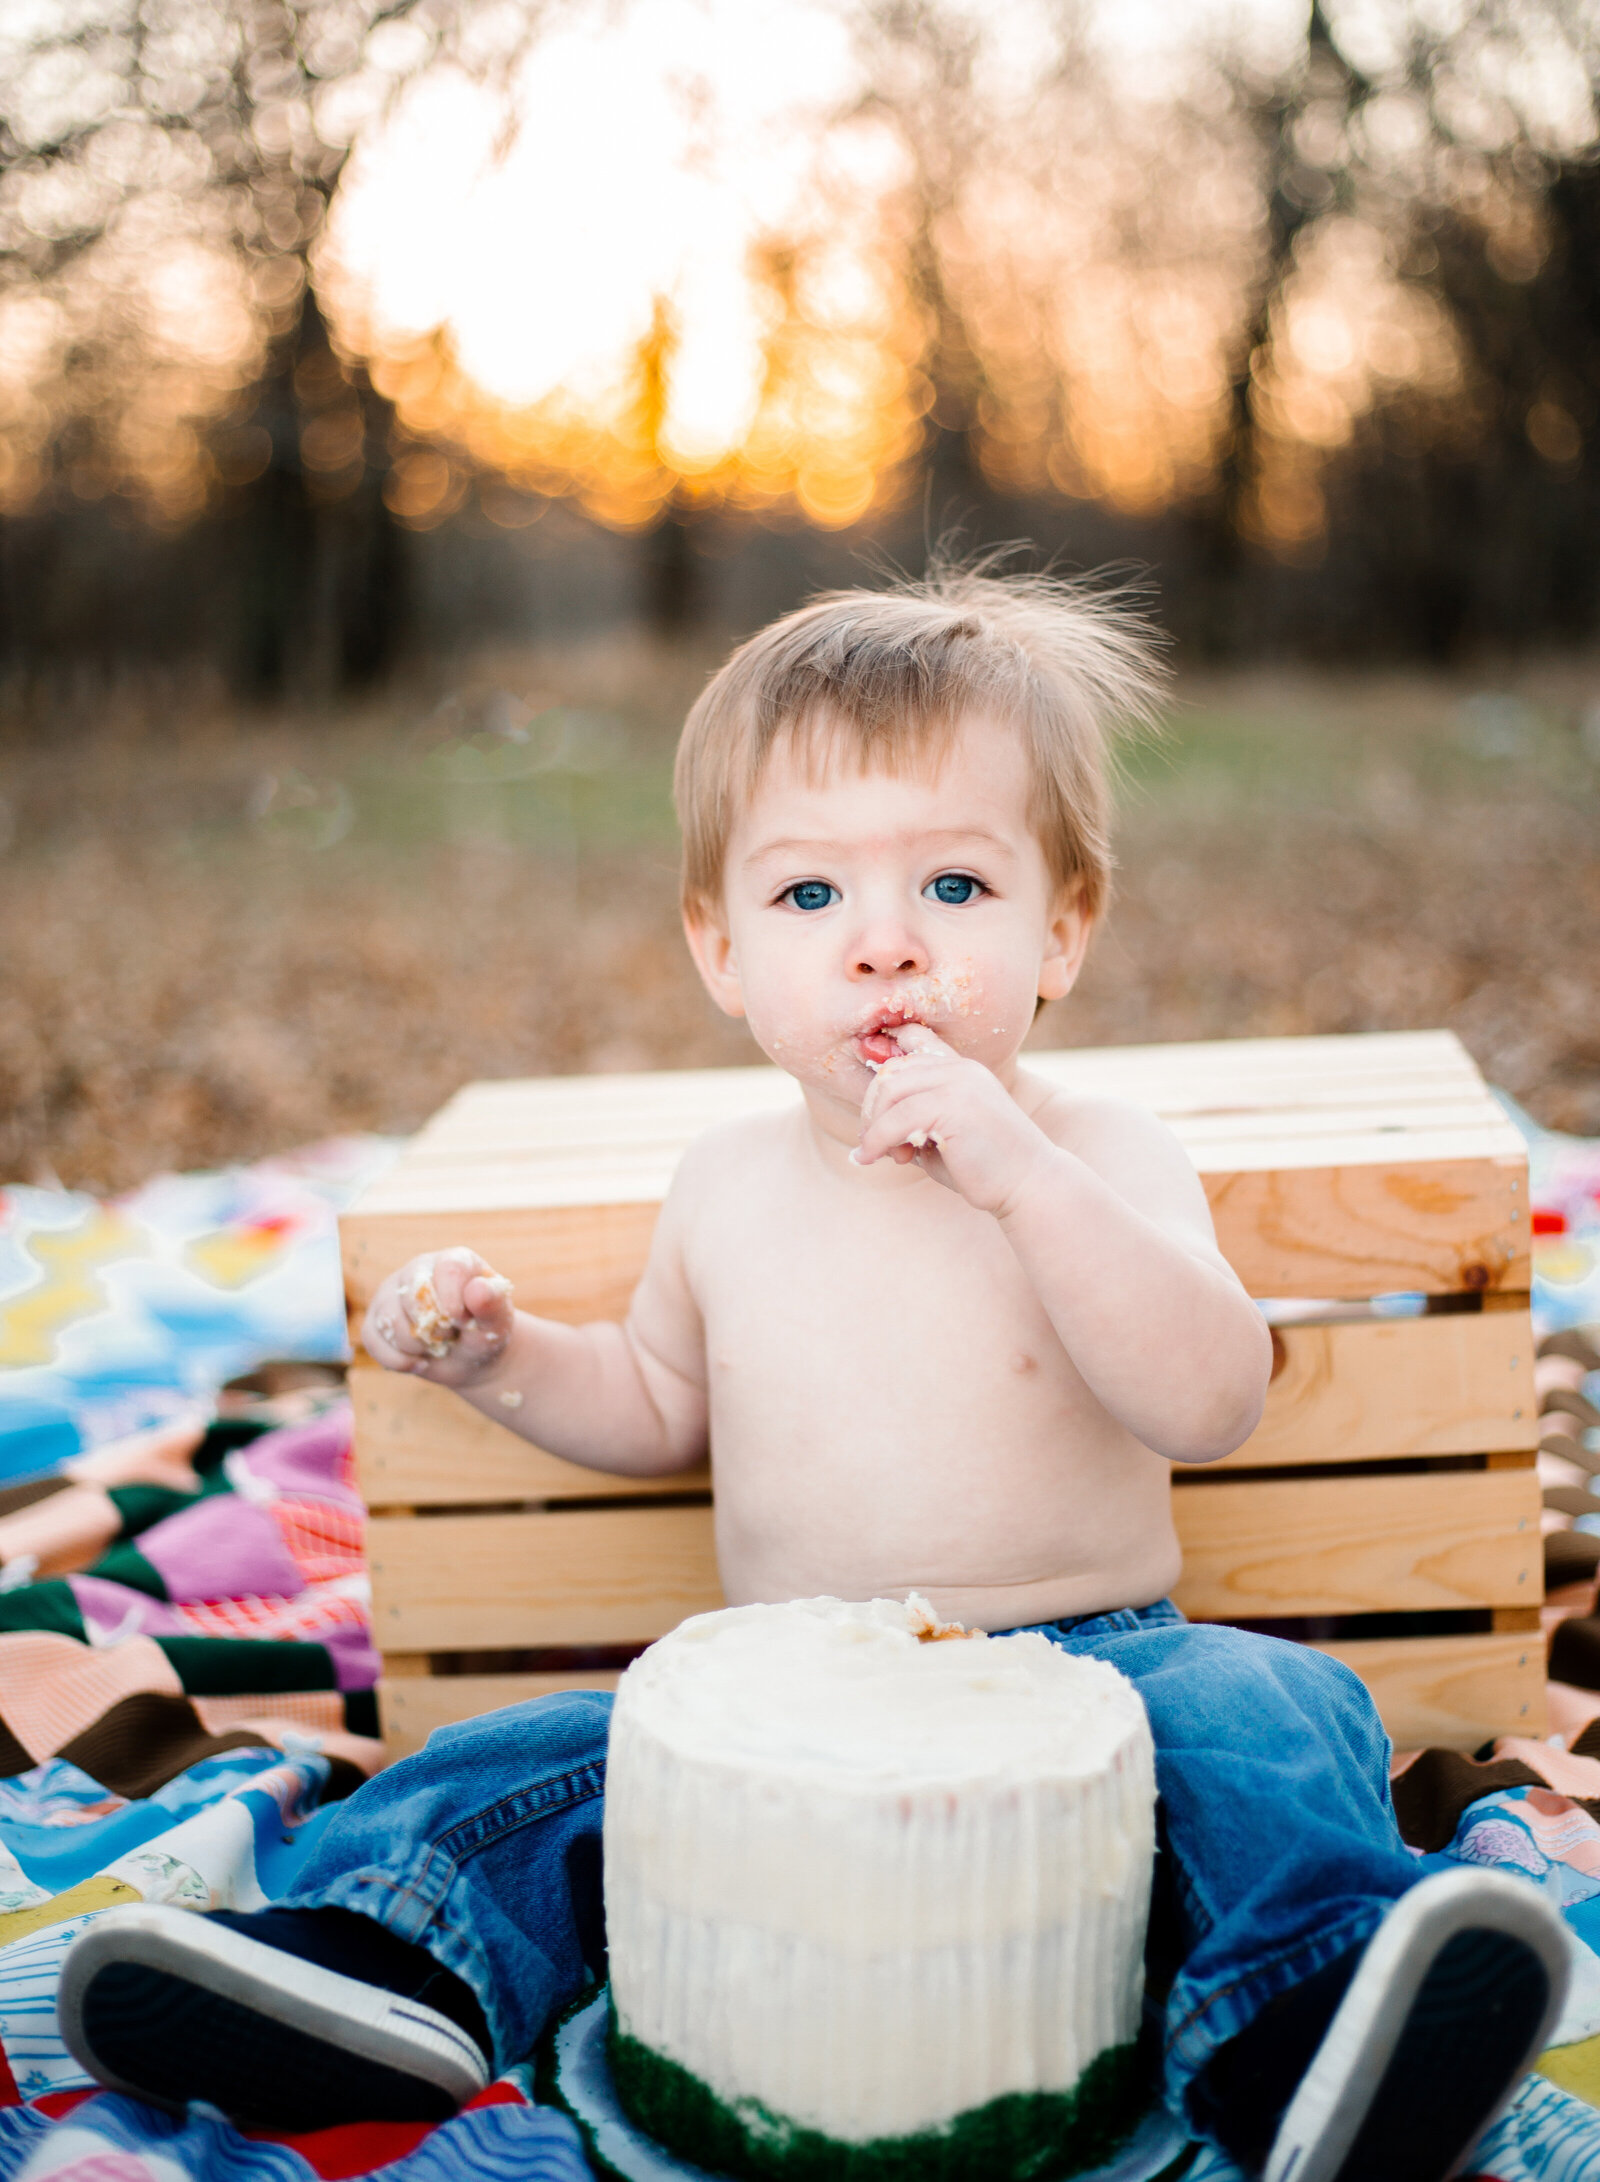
(1392, 1476)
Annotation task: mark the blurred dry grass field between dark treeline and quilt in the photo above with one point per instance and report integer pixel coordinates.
(230, 935)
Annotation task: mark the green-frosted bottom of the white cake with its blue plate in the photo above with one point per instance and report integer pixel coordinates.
(669, 2124)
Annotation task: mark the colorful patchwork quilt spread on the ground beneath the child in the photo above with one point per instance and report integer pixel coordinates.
(187, 1683)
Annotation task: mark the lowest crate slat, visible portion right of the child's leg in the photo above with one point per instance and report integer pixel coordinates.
(1453, 1692)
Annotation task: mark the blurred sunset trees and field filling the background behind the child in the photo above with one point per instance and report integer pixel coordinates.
(405, 403)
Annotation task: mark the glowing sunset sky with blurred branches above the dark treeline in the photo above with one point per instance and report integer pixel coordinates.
(743, 254)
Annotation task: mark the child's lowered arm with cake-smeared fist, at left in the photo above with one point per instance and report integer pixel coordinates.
(614, 1398)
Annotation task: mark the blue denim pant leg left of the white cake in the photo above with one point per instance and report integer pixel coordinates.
(486, 1849)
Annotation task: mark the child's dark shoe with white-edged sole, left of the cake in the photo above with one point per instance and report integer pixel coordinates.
(152, 2000)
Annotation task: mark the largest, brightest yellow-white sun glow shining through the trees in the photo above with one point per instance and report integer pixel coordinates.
(673, 276)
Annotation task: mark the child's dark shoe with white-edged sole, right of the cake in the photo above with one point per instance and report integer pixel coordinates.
(1523, 1937)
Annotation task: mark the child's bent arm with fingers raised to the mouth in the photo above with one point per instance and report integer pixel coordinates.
(1114, 1236)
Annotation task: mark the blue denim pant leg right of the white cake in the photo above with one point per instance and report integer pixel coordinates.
(1274, 1777)
